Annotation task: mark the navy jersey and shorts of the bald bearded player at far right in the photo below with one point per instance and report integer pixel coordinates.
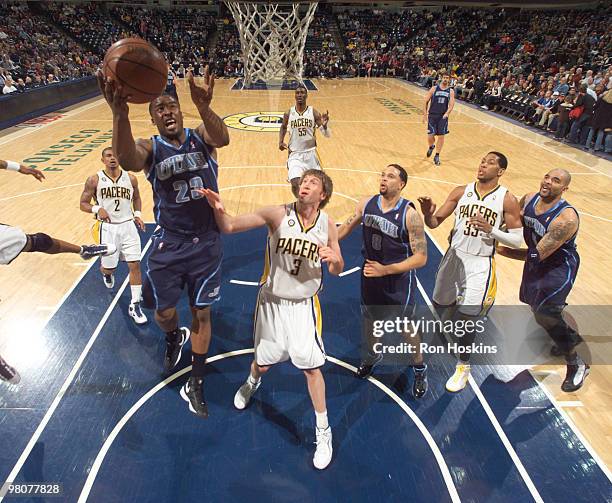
(550, 281)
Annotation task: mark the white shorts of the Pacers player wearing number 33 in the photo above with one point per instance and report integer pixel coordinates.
(466, 280)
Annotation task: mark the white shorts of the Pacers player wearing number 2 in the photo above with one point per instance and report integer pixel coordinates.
(124, 236)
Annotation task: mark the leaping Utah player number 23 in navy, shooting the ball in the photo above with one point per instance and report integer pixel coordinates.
(186, 249)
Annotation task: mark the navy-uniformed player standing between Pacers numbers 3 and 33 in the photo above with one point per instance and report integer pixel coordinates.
(393, 248)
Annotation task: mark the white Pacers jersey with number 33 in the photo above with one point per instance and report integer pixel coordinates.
(465, 237)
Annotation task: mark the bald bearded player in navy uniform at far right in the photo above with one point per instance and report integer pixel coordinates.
(550, 226)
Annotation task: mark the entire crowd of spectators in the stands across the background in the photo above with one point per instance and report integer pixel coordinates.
(551, 69)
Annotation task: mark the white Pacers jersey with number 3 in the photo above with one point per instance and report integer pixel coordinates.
(293, 268)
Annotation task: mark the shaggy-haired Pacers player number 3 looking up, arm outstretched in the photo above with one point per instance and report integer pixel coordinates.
(288, 322)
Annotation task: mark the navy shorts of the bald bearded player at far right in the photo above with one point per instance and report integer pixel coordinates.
(548, 284)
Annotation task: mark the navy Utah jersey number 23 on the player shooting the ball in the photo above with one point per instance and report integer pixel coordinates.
(176, 174)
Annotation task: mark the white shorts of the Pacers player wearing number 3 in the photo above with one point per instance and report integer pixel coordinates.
(288, 329)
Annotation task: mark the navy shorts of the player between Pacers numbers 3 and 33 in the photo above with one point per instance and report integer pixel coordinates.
(393, 290)
